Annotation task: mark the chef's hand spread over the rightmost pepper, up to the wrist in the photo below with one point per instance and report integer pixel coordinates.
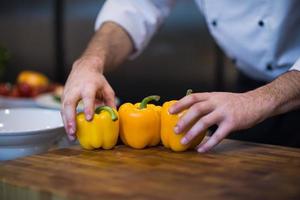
(230, 111)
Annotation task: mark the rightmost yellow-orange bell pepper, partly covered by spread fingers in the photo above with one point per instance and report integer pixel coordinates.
(169, 138)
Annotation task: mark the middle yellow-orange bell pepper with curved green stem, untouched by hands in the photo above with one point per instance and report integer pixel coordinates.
(140, 123)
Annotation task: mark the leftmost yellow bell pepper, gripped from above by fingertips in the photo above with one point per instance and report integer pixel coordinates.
(102, 131)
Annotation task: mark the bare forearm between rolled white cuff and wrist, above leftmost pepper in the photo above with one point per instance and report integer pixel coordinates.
(110, 46)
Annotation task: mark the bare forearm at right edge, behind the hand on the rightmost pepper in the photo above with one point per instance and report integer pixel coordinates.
(281, 95)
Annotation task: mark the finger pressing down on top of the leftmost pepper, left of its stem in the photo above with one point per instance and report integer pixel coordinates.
(88, 98)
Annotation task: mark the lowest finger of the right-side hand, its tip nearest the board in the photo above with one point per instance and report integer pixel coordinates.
(215, 139)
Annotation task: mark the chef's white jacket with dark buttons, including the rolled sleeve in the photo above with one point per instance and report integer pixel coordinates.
(262, 36)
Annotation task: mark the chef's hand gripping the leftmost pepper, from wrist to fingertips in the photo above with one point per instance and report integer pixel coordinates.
(87, 82)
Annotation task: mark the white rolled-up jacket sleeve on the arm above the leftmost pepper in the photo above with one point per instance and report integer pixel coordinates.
(140, 18)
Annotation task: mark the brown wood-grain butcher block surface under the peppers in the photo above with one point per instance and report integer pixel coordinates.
(234, 170)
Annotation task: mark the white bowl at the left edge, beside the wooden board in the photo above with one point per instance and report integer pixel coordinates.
(27, 131)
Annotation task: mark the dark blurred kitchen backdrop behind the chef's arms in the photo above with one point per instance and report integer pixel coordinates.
(182, 55)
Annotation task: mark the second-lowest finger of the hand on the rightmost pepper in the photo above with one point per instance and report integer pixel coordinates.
(200, 126)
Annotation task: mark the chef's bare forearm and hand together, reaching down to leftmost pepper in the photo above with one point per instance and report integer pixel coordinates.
(108, 48)
